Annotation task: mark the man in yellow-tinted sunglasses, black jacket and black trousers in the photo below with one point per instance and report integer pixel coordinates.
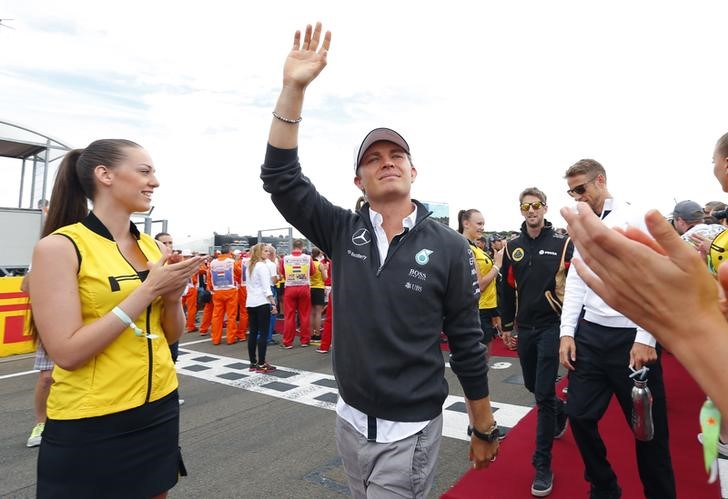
(534, 270)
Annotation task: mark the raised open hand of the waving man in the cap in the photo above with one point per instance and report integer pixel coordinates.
(306, 60)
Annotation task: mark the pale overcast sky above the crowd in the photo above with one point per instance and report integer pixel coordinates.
(493, 97)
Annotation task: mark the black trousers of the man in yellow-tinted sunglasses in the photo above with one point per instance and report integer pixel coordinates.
(538, 351)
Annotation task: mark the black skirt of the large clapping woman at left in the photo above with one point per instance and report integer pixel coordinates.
(129, 454)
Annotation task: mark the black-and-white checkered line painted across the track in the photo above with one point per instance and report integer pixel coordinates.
(319, 390)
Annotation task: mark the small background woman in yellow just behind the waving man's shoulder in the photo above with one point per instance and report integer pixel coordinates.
(471, 225)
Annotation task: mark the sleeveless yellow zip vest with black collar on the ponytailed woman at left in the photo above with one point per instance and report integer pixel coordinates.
(132, 370)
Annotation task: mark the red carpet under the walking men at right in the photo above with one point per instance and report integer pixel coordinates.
(511, 475)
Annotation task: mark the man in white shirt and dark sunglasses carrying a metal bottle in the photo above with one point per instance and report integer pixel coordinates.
(599, 346)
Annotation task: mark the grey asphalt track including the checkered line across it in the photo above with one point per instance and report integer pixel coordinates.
(246, 435)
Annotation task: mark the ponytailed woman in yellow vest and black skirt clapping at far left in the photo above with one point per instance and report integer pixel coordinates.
(106, 304)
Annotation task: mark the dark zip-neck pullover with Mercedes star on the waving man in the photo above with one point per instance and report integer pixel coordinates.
(389, 315)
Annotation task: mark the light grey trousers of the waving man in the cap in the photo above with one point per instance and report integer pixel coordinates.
(388, 470)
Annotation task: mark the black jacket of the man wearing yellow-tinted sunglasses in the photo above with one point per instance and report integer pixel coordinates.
(534, 271)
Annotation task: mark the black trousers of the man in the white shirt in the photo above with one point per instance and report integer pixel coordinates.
(601, 369)
